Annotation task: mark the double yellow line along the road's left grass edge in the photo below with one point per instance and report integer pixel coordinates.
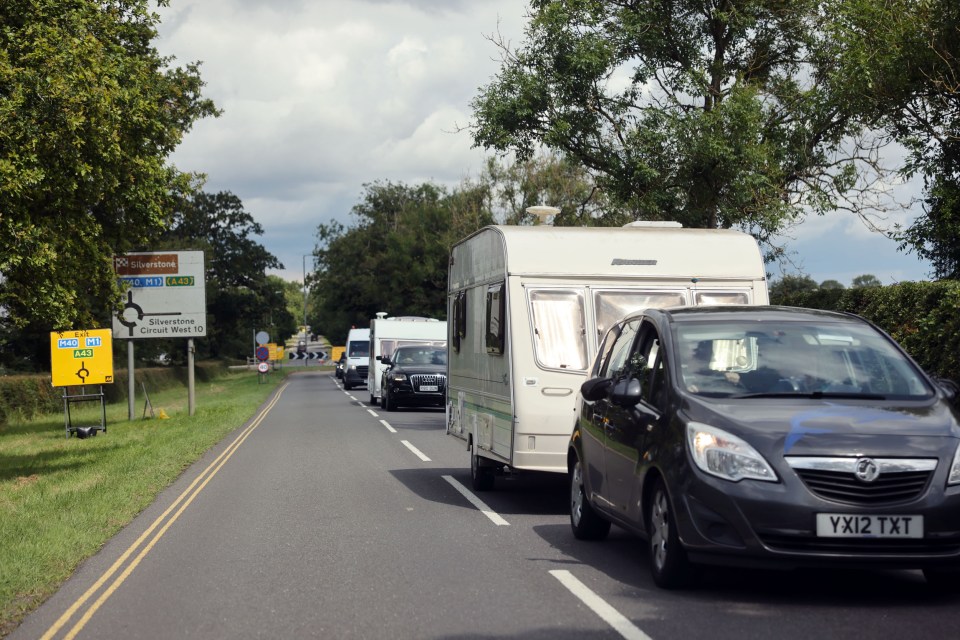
(154, 533)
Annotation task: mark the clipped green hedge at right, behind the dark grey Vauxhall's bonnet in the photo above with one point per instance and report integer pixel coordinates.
(924, 317)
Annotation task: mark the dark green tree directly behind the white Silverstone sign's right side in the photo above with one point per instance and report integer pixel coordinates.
(241, 298)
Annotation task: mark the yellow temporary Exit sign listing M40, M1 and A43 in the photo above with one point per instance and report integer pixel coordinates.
(81, 357)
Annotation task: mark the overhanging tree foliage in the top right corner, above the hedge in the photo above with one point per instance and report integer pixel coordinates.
(899, 61)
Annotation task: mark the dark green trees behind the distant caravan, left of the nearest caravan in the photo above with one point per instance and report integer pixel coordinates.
(394, 257)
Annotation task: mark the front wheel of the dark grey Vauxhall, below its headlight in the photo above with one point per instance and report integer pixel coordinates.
(668, 560)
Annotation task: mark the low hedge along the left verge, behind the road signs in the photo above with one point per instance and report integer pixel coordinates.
(24, 397)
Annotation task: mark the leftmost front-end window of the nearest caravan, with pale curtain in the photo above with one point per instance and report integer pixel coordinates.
(559, 328)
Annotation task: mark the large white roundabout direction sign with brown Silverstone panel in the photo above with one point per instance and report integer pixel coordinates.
(166, 297)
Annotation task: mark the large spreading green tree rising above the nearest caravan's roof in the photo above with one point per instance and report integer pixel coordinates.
(709, 113)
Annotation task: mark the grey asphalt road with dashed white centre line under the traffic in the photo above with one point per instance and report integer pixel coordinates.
(327, 518)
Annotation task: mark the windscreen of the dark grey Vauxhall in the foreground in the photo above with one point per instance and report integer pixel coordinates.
(744, 358)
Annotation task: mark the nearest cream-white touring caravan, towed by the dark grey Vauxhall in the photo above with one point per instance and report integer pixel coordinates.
(528, 305)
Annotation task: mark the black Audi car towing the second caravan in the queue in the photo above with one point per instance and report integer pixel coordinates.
(415, 376)
